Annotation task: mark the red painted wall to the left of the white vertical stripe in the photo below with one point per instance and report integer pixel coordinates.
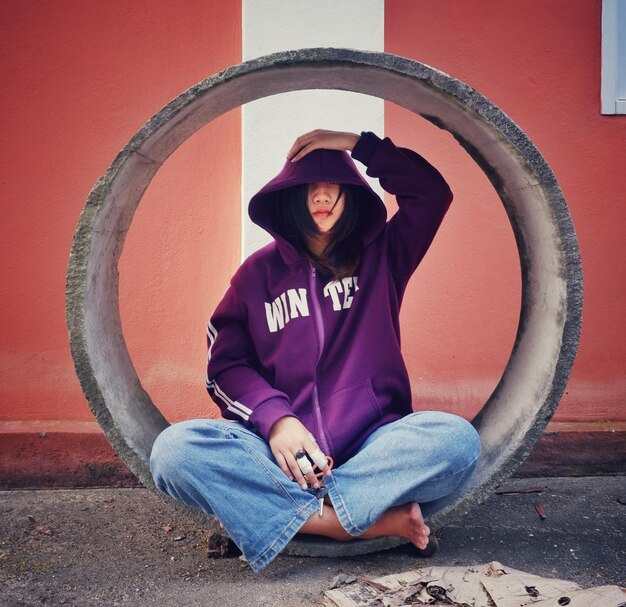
(80, 78)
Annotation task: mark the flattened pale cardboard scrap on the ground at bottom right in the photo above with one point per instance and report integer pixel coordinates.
(489, 585)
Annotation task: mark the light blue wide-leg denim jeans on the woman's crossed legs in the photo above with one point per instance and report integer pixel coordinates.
(229, 471)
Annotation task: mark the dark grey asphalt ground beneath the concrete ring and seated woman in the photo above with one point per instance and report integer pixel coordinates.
(115, 547)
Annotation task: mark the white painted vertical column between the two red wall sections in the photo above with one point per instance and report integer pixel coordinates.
(270, 125)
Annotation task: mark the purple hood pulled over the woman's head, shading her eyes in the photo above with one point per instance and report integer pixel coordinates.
(319, 165)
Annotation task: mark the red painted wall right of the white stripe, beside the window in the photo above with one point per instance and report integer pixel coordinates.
(540, 63)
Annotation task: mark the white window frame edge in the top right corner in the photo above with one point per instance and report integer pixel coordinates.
(613, 91)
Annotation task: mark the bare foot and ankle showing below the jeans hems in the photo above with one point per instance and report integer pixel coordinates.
(402, 521)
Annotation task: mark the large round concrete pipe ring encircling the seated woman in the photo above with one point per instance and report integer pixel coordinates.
(515, 415)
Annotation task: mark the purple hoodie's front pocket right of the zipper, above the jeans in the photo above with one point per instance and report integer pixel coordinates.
(351, 414)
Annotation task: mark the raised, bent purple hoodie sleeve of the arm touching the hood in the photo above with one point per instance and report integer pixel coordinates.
(423, 198)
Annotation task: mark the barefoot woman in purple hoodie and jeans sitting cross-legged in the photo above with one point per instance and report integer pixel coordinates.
(304, 360)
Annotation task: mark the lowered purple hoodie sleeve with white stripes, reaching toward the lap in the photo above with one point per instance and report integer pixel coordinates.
(233, 381)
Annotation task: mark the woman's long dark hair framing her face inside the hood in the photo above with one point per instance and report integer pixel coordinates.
(293, 221)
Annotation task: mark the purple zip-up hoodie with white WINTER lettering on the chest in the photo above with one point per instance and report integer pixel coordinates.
(285, 341)
